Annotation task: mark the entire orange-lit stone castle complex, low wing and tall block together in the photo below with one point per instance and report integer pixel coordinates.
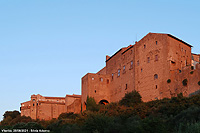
(157, 66)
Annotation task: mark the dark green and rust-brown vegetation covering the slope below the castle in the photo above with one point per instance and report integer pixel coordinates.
(177, 114)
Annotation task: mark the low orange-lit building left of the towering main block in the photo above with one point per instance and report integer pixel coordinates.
(46, 108)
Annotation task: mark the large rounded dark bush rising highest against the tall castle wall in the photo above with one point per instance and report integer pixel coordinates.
(131, 99)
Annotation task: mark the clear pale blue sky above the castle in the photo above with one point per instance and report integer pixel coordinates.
(46, 46)
